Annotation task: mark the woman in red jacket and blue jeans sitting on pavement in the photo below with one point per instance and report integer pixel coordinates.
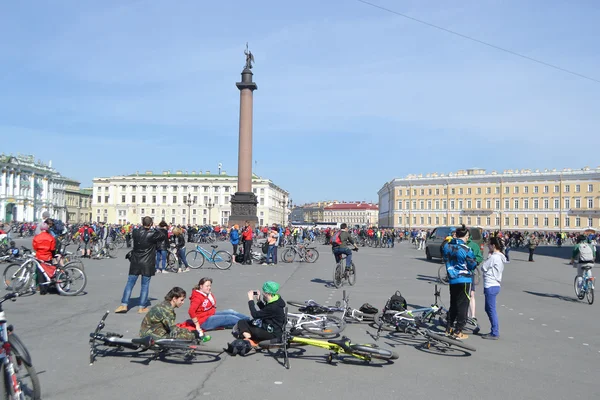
(203, 310)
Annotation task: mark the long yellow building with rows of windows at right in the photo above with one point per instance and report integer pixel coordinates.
(549, 200)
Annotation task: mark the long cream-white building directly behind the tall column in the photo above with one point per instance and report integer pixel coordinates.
(181, 198)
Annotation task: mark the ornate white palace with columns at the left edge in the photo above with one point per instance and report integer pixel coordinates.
(28, 188)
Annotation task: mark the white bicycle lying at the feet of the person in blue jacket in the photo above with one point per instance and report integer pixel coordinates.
(414, 322)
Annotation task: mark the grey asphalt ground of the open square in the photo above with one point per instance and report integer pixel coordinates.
(549, 345)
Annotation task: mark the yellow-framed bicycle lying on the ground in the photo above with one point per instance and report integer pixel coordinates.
(337, 348)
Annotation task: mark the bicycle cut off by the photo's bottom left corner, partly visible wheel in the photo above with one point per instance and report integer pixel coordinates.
(20, 379)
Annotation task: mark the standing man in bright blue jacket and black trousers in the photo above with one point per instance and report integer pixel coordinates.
(460, 263)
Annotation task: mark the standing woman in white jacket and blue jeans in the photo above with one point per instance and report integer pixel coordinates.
(492, 277)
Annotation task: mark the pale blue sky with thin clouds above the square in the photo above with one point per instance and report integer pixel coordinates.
(349, 96)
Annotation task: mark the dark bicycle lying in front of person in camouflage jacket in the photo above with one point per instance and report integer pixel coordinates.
(162, 348)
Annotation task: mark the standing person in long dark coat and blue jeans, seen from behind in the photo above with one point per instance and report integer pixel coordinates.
(142, 261)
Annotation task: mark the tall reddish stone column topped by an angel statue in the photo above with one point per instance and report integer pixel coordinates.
(243, 202)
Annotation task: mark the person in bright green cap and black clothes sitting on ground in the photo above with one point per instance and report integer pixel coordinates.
(267, 310)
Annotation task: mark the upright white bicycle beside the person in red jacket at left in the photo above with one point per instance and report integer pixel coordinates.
(69, 280)
